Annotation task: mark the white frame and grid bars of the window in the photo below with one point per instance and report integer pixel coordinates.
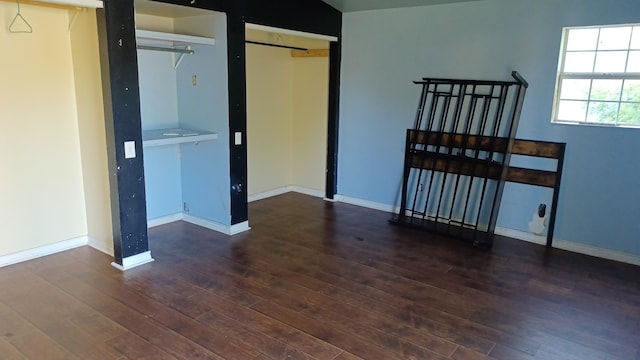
(561, 75)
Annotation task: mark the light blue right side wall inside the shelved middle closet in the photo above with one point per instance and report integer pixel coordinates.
(205, 166)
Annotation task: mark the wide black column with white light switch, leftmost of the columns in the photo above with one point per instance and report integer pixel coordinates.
(116, 31)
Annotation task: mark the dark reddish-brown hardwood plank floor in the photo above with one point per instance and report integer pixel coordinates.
(318, 280)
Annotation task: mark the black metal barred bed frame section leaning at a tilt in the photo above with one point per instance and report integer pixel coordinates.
(457, 156)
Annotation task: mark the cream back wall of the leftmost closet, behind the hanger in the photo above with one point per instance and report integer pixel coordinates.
(41, 182)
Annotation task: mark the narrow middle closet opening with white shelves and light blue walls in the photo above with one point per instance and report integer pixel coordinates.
(182, 71)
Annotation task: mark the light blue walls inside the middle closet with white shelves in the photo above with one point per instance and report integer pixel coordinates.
(195, 173)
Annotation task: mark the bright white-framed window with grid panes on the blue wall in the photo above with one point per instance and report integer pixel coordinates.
(599, 76)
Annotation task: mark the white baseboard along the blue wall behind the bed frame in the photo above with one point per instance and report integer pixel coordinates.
(517, 234)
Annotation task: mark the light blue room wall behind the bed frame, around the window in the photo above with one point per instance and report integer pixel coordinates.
(385, 50)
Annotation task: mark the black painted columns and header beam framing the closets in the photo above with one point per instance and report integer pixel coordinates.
(122, 100)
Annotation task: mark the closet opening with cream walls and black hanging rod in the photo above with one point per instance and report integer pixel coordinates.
(287, 82)
